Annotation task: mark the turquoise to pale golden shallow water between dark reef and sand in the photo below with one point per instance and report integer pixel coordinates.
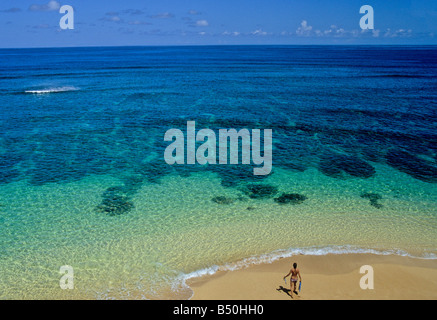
(176, 230)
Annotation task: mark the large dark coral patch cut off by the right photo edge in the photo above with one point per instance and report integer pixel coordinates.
(412, 165)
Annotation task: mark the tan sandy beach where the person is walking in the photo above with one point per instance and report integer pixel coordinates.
(330, 276)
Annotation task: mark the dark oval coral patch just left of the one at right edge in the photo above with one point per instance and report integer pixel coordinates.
(335, 165)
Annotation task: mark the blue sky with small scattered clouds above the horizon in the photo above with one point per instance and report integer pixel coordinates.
(35, 23)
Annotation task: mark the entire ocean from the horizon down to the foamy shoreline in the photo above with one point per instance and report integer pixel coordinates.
(84, 183)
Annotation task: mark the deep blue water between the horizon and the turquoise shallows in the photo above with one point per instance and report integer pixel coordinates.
(364, 104)
